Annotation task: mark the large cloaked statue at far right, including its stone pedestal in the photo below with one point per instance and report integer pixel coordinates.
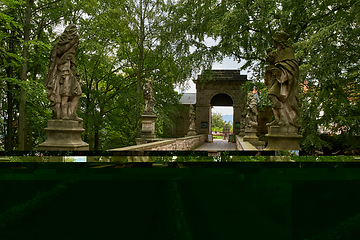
(281, 77)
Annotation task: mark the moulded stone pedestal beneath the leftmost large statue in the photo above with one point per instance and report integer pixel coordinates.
(64, 135)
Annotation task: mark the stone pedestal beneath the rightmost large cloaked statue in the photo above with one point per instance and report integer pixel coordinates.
(283, 138)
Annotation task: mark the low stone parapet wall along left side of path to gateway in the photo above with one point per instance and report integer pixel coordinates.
(175, 144)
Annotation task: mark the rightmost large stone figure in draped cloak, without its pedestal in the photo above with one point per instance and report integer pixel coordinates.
(281, 77)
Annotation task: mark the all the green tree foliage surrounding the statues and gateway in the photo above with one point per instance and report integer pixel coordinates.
(122, 44)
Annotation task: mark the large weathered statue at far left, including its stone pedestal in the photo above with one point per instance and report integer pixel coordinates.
(63, 82)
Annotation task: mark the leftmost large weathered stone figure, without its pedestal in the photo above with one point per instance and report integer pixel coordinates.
(62, 80)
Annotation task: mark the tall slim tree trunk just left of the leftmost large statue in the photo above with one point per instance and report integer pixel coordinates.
(22, 105)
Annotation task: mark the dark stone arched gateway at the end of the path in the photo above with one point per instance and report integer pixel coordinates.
(222, 90)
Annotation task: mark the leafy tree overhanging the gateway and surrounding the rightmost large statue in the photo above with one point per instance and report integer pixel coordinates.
(324, 36)
